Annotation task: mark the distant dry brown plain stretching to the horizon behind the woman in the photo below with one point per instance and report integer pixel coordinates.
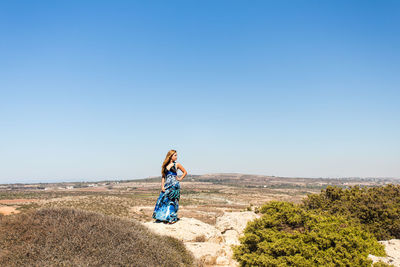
(202, 196)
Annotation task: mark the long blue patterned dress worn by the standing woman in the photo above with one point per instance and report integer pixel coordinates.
(167, 204)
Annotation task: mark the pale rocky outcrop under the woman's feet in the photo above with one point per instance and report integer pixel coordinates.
(210, 244)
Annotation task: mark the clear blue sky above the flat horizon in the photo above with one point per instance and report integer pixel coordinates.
(103, 89)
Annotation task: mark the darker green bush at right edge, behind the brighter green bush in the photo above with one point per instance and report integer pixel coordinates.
(377, 208)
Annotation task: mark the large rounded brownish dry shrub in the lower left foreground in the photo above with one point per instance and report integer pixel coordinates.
(70, 237)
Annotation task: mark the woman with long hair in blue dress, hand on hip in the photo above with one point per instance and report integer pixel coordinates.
(167, 205)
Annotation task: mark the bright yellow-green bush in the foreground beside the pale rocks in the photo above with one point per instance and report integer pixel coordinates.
(288, 235)
